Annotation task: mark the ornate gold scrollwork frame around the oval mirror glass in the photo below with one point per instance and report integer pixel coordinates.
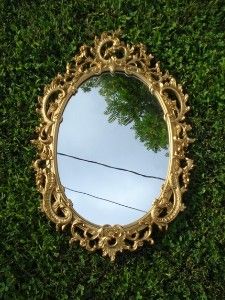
(110, 54)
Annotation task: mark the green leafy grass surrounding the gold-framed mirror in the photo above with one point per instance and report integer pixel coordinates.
(37, 39)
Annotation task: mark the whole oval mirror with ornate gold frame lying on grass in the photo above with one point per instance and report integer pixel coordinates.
(111, 147)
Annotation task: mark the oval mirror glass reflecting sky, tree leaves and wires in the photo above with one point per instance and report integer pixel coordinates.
(112, 149)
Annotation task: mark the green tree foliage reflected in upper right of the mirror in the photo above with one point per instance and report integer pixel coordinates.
(130, 101)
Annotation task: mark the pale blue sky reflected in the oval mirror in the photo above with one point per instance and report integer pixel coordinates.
(86, 133)
